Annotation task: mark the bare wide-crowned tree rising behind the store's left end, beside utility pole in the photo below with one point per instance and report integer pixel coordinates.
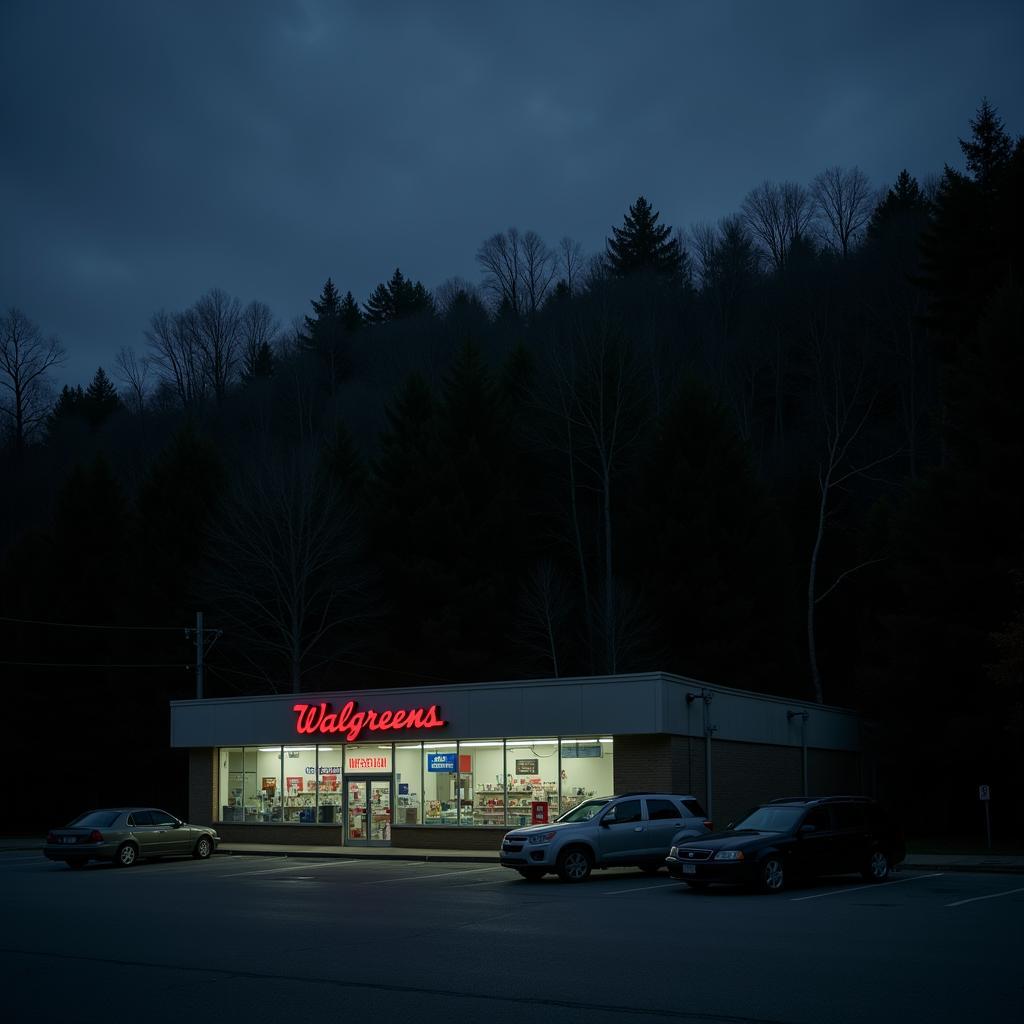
(283, 570)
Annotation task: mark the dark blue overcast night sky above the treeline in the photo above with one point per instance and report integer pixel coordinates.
(153, 151)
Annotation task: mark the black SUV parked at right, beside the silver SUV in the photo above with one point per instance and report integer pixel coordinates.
(795, 837)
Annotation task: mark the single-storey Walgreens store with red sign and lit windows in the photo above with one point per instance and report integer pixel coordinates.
(456, 766)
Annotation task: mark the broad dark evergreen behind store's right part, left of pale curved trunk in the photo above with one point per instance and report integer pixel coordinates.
(698, 504)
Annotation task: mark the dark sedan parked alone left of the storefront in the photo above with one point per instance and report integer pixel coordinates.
(123, 835)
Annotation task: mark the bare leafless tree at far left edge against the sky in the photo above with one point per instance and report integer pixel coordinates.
(26, 359)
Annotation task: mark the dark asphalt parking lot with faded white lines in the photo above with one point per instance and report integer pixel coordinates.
(259, 938)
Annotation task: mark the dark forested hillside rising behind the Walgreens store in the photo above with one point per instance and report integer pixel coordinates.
(782, 452)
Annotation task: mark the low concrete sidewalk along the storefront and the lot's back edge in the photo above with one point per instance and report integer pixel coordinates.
(914, 863)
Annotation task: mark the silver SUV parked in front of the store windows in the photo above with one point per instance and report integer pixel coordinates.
(632, 830)
